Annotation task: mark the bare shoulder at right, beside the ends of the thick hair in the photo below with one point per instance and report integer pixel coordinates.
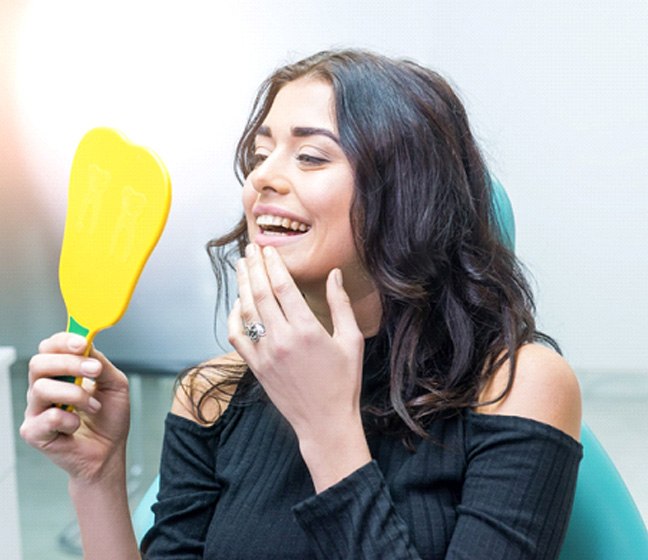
(545, 389)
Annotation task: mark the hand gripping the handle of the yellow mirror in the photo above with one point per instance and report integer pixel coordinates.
(92, 438)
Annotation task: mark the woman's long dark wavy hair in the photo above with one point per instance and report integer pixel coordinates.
(456, 304)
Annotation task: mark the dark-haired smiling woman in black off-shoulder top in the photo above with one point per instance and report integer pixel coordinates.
(389, 396)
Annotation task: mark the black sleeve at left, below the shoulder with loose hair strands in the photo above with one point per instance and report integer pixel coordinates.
(189, 491)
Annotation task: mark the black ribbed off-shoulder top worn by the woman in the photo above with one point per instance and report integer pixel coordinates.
(482, 487)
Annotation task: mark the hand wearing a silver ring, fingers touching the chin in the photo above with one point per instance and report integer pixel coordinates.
(311, 376)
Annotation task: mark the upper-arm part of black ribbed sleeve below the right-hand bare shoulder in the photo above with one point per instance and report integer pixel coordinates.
(518, 490)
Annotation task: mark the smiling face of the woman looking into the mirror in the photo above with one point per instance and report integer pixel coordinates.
(298, 196)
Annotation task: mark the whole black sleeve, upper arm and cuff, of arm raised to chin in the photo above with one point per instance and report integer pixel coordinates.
(516, 500)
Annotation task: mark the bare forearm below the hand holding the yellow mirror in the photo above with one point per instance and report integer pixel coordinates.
(104, 516)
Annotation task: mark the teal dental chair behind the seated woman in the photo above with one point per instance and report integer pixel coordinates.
(605, 523)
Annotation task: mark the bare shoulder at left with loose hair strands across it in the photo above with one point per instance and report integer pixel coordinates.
(197, 384)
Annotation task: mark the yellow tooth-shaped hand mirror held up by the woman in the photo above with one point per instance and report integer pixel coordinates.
(118, 202)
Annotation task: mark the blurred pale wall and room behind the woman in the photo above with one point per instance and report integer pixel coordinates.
(557, 93)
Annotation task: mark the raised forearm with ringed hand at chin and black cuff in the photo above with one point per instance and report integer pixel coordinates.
(314, 377)
